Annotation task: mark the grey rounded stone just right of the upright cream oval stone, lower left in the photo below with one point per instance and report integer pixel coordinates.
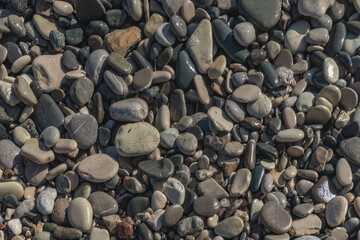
(102, 204)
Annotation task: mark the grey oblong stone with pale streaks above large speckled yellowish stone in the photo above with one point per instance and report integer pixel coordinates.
(129, 110)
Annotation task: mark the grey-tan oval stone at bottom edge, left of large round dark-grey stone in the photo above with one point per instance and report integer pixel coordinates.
(229, 227)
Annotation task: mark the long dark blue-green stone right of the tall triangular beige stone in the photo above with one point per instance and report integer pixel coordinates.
(224, 37)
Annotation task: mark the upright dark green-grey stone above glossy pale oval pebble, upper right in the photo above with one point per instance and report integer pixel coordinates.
(337, 39)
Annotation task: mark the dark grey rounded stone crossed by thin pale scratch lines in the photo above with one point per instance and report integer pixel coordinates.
(83, 128)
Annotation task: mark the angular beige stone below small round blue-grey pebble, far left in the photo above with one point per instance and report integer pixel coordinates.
(36, 151)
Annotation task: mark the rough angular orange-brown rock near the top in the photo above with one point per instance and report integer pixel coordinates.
(120, 41)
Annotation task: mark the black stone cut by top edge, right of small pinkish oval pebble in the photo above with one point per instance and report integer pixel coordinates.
(88, 11)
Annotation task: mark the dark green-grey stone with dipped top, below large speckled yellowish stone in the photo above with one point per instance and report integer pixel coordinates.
(159, 170)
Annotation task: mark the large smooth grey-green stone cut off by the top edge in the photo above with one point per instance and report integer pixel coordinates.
(264, 14)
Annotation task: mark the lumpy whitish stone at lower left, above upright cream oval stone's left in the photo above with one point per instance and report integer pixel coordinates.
(46, 200)
